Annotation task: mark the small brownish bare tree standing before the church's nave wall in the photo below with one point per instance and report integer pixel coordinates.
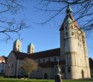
(29, 65)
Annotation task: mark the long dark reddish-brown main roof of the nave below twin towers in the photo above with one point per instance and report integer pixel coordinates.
(43, 54)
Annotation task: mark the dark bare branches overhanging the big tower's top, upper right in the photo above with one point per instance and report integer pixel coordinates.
(83, 11)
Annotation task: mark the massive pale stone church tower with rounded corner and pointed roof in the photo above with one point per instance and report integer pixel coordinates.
(73, 47)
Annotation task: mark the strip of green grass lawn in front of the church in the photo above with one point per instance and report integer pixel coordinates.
(38, 80)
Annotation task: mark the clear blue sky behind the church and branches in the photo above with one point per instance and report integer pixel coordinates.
(43, 36)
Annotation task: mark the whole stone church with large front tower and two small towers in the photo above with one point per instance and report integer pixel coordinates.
(72, 54)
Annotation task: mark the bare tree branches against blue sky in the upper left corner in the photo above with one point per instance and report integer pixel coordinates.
(8, 22)
